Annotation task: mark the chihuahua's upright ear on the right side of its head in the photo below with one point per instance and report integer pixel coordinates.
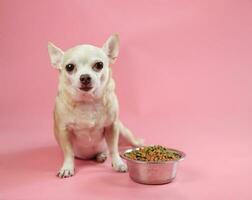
(111, 47)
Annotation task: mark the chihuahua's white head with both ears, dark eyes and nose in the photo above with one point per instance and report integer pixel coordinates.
(84, 69)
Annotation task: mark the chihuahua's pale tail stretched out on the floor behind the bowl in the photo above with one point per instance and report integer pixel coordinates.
(128, 136)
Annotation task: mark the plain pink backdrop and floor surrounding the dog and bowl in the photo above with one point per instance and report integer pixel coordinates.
(184, 78)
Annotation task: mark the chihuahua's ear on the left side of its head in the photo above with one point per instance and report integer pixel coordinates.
(55, 54)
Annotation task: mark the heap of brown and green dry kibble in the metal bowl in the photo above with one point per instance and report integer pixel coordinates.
(153, 153)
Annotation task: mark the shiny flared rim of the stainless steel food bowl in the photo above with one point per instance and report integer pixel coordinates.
(182, 154)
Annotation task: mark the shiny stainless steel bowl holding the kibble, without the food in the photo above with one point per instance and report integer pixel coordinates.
(154, 172)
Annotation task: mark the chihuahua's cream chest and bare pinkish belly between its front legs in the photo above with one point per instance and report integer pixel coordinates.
(87, 123)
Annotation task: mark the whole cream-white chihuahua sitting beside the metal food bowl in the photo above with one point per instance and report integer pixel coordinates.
(86, 121)
